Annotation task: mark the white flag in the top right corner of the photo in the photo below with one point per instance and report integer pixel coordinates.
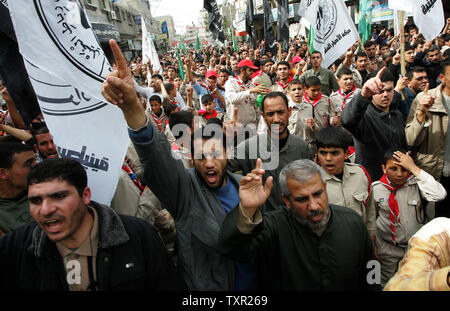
(428, 15)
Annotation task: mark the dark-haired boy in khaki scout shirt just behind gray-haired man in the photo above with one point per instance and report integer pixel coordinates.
(348, 184)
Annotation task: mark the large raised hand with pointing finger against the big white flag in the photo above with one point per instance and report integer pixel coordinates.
(118, 89)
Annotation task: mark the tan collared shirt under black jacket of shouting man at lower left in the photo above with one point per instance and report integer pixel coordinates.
(75, 259)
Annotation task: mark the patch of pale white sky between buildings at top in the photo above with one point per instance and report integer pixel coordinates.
(184, 12)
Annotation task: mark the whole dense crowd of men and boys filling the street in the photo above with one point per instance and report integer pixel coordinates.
(246, 170)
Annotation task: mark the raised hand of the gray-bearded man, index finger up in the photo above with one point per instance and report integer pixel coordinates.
(252, 192)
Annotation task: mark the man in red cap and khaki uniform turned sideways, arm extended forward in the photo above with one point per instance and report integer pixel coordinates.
(241, 93)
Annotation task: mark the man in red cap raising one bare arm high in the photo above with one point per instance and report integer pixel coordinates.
(208, 88)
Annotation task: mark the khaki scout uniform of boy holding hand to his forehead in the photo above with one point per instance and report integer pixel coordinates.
(411, 216)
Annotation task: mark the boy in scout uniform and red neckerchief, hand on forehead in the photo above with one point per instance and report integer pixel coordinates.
(400, 199)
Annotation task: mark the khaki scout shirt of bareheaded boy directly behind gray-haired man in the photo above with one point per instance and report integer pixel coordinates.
(354, 192)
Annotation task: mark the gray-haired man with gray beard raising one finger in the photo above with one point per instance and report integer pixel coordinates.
(310, 245)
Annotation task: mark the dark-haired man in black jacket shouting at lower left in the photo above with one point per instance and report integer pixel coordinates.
(77, 244)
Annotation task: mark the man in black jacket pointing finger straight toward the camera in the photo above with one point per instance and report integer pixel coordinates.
(375, 126)
